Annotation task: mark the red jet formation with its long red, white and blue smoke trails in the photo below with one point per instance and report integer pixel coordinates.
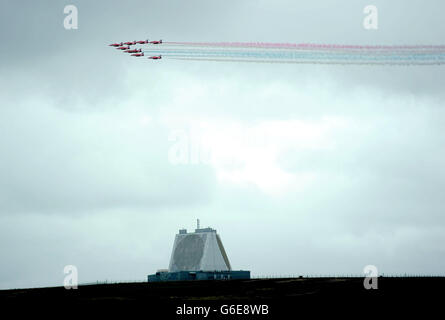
(302, 53)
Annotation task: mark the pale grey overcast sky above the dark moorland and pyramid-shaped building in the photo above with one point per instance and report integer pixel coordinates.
(314, 169)
